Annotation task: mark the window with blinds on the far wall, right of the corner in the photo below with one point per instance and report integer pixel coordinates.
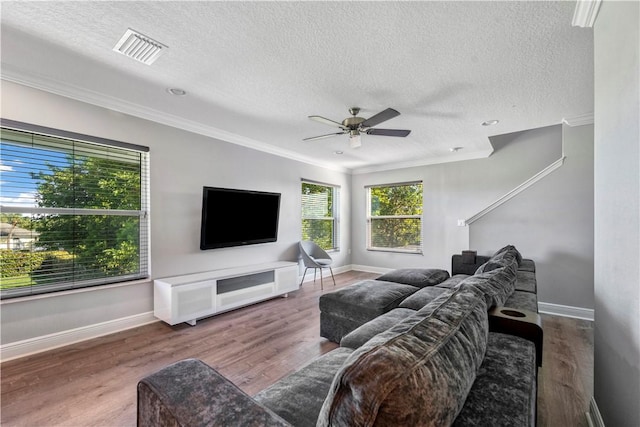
(394, 217)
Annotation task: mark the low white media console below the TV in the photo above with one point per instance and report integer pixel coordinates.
(190, 297)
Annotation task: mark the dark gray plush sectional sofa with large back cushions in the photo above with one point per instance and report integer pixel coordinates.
(439, 364)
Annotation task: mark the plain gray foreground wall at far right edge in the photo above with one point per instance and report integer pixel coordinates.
(617, 213)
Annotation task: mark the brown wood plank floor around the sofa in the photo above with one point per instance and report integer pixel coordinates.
(93, 383)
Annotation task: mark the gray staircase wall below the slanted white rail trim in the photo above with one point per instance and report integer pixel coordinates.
(552, 223)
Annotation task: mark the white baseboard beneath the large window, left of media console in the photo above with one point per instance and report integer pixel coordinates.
(30, 346)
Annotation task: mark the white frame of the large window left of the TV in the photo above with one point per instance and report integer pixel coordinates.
(71, 140)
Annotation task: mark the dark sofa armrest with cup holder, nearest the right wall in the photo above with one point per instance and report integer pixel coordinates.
(522, 323)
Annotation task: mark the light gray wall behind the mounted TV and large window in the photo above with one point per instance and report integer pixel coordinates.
(181, 164)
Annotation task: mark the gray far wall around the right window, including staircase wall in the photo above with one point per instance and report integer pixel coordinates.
(551, 222)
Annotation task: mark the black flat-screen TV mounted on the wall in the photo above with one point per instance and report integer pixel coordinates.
(238, 217)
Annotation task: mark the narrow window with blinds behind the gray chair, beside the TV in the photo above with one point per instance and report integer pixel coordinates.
(320, 214)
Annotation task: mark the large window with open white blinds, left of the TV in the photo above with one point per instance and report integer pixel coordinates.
(74, 210)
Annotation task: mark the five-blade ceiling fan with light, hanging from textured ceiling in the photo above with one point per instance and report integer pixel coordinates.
(355, 126)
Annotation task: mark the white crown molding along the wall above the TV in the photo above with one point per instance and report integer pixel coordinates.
(24, 78)
